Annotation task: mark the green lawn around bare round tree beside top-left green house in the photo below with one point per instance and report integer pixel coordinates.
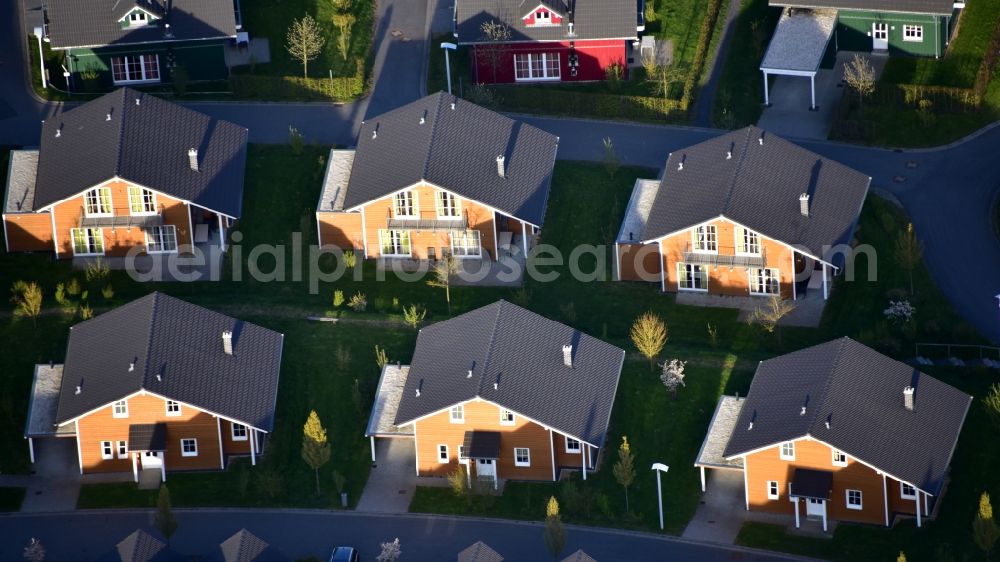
(266, 18)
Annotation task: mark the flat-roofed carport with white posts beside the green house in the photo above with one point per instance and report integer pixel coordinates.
(800, 40)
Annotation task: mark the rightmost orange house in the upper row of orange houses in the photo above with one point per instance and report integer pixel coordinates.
(745, 214)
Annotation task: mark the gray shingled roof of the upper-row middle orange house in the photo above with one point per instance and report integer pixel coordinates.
(455, 149)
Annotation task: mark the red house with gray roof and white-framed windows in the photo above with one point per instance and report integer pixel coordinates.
(549, 40)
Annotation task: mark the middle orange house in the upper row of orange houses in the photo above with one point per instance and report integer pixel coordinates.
(439, 176)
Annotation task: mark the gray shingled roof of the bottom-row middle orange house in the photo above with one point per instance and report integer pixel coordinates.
(522, 353)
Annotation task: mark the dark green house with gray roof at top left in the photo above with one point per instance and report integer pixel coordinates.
(118, 42)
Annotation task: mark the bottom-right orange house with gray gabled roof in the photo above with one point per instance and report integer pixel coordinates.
(839, 431)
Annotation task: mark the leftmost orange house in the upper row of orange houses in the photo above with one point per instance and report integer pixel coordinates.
(125, 172)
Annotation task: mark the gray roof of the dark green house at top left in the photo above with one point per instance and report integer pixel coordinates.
(93, 23)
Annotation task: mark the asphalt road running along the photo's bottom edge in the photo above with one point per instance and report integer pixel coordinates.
(83, 536)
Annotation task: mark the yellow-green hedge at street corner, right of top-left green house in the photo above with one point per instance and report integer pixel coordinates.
(340, 88)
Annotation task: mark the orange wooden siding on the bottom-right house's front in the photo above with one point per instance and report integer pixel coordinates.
(767, 465)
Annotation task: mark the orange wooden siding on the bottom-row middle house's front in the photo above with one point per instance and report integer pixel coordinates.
(482, 416)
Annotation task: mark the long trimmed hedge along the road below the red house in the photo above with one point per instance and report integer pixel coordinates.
(553, 101)
